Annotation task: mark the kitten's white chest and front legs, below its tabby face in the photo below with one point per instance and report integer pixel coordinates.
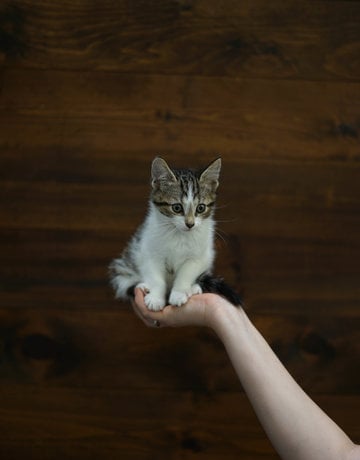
(171, 259)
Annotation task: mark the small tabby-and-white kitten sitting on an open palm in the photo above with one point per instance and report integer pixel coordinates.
(171, 255)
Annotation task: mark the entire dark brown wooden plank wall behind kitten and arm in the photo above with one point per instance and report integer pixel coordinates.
(90, 92)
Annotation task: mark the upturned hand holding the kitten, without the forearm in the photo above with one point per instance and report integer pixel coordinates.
(200, 310)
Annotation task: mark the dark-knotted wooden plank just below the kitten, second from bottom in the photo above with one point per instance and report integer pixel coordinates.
(110, 348)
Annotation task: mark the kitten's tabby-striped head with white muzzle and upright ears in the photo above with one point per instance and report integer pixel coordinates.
(186, 197)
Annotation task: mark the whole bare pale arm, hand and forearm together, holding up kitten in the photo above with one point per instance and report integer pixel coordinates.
(296, 426)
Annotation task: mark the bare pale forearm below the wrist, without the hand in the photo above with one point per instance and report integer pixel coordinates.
(297, 427)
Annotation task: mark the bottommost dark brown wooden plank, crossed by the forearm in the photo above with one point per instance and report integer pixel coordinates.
(77, 423)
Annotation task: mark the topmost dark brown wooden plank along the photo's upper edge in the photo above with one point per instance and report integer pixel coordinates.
(277, 40)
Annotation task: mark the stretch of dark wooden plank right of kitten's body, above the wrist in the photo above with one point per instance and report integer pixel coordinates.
(279, 276)
